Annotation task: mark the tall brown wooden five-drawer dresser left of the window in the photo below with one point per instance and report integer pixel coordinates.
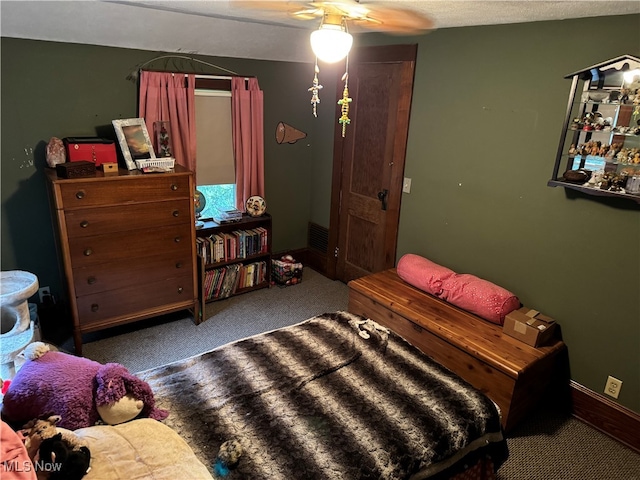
(127, 246)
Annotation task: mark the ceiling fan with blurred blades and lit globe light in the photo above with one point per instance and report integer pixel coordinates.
(332, 41)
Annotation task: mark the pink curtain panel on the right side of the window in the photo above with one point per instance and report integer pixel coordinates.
(248, 138)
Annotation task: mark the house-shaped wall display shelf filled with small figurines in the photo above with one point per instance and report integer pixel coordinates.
(599, 149)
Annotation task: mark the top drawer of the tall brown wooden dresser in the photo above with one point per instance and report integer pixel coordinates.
(123, 190)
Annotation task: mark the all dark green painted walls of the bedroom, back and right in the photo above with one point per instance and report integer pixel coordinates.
(487, 111)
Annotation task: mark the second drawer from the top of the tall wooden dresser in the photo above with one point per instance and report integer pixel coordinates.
(98, 221)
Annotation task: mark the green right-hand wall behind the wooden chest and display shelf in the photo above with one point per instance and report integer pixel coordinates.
(487, 112)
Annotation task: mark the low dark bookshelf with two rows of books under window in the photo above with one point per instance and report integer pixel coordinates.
(234, 258)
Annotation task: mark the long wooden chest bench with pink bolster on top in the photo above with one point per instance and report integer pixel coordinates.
(513, 374)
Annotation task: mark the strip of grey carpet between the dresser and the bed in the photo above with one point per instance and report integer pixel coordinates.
(160, 341)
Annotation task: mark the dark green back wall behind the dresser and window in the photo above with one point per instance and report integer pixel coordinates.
(55, 89)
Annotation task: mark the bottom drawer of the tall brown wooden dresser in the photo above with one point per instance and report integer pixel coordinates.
(129, 301)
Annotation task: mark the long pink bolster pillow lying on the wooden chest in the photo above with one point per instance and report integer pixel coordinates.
(478, 296)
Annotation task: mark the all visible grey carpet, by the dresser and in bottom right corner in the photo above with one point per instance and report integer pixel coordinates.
(549, 445)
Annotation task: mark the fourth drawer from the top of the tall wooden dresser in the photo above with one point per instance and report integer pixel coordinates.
(135, 271)
